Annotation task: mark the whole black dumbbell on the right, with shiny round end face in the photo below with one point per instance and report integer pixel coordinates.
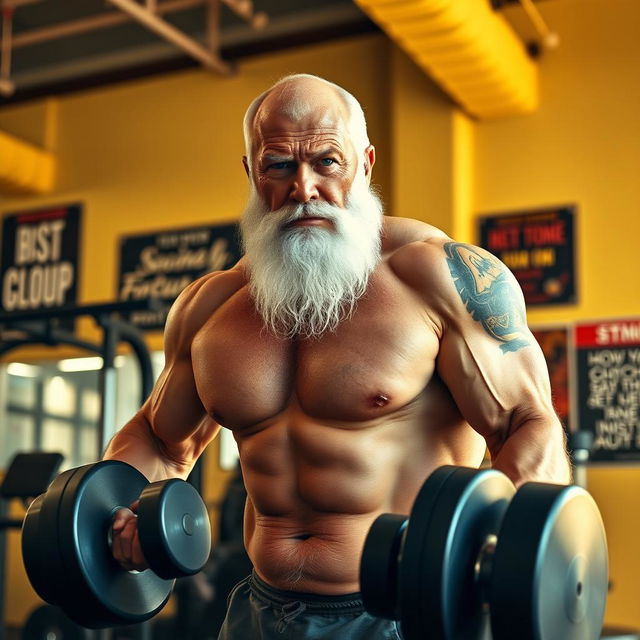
(478, 560)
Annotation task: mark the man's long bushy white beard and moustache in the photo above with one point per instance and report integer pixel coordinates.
(306, 280)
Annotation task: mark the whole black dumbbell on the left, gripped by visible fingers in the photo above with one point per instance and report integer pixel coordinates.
(66, 543)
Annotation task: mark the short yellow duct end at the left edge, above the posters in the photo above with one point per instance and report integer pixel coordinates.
(24, 168)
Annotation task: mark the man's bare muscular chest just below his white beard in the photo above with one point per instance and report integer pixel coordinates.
(374, 364)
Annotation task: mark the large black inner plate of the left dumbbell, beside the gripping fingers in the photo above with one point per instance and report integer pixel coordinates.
(104, 594)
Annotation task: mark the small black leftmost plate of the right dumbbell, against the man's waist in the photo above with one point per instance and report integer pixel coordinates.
(380, 565)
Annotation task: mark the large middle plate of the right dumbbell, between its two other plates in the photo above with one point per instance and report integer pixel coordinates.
(453, 516)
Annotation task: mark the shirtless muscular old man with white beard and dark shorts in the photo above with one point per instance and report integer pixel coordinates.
(350, 354)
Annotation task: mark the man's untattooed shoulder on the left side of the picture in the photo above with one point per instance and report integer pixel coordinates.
(198, 301)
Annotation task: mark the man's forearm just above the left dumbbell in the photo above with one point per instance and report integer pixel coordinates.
(137, 445)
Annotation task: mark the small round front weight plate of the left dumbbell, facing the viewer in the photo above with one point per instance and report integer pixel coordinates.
(174, 530)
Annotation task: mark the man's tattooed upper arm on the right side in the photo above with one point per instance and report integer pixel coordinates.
(488, 358)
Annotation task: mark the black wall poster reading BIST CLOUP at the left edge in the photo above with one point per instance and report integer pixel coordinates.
(40, 258)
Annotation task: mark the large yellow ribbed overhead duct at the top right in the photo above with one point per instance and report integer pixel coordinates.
(465, 47)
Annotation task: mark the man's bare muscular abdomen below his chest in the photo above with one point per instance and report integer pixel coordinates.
(315, 489)
